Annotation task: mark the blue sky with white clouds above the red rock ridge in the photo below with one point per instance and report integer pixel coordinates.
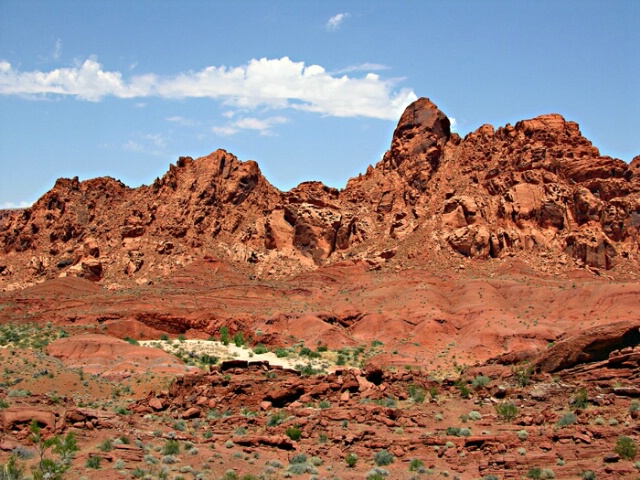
(311, 90)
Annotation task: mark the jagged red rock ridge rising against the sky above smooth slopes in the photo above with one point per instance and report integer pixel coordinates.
(538, 188)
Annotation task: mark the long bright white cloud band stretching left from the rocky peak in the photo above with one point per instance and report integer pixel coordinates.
(271, 83)
